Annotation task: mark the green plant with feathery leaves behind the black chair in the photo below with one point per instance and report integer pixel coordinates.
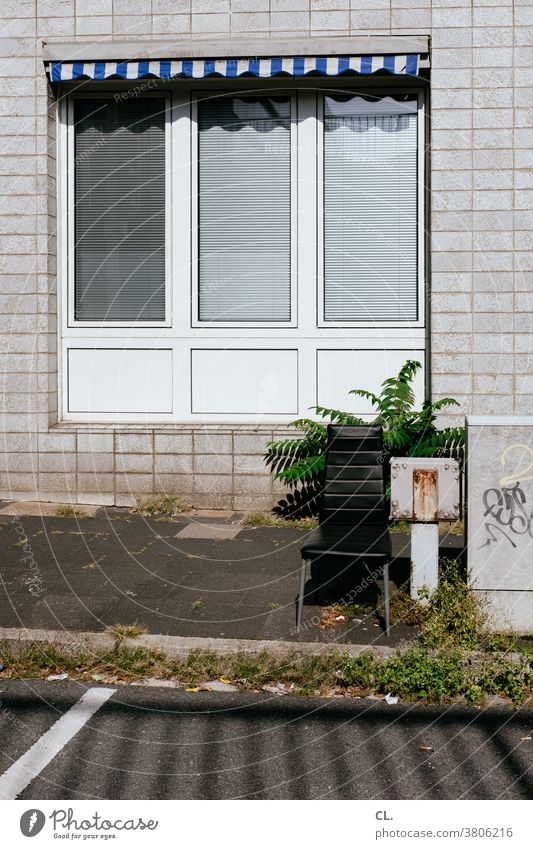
(407, 432)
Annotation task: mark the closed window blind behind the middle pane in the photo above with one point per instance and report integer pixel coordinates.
(244, 228)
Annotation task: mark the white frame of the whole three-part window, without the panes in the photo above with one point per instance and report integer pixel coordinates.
(179, 332)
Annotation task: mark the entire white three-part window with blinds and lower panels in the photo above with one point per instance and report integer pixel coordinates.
(237, 255)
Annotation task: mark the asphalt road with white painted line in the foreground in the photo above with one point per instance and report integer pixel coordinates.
(160, 743)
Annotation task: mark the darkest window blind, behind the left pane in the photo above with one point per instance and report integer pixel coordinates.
(119, 209)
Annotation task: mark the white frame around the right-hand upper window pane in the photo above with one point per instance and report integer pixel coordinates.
(421, 277)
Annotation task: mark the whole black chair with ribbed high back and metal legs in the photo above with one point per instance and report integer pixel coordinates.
(353, 517)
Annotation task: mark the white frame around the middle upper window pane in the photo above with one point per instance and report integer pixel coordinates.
(196, 322)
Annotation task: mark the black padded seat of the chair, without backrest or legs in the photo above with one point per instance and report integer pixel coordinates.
(347, 540)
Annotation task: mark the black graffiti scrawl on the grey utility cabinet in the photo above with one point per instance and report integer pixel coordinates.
(507, 508)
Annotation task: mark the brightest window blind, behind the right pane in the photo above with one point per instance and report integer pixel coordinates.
(370, 210)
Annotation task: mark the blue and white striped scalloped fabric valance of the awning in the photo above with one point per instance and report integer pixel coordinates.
(296, 66)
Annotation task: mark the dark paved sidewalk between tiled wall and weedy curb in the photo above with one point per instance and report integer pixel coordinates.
(189, 576)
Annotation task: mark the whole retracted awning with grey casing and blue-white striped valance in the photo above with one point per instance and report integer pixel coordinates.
(296, 57)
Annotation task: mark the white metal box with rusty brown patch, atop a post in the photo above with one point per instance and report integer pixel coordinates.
(425, 489)
